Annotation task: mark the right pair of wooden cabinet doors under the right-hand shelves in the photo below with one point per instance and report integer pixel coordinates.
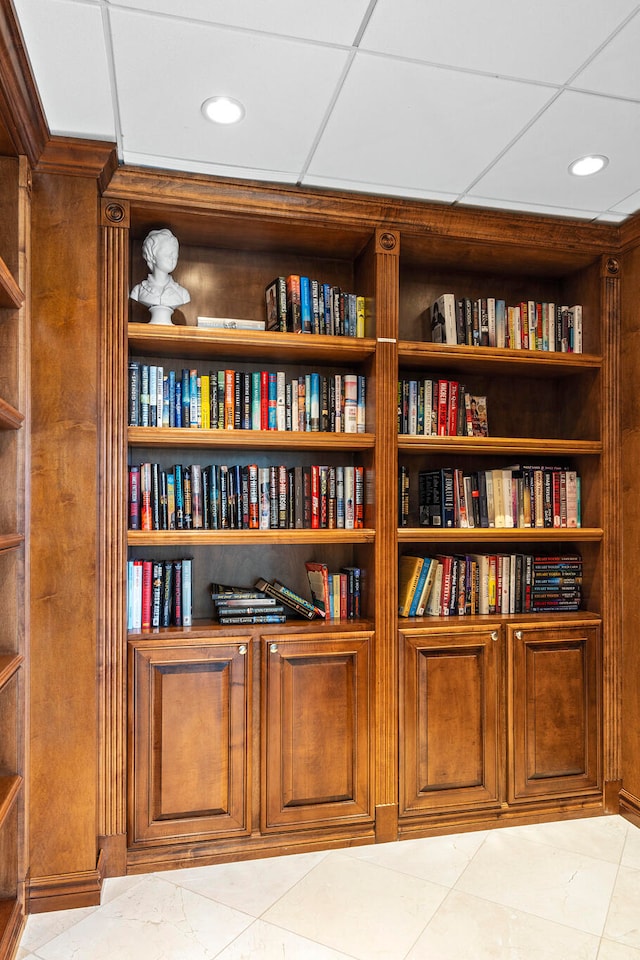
(499, 715)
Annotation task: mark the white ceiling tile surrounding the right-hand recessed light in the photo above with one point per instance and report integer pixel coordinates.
(534, 170)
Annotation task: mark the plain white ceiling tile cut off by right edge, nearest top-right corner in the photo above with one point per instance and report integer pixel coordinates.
(616, 70)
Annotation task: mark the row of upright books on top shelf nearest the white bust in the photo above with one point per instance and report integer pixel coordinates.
(300, 304)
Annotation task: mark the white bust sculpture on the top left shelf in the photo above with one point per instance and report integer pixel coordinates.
(160, 292)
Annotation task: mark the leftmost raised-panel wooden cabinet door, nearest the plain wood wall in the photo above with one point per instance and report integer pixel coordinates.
(189, 715)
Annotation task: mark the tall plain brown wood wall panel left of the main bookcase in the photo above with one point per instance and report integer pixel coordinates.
(64, 496)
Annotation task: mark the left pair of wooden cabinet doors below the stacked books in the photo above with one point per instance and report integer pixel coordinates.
(196, 722)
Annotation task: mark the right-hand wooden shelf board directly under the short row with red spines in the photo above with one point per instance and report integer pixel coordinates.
(498, 445)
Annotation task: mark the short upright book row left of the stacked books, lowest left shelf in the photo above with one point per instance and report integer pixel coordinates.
(159, 593)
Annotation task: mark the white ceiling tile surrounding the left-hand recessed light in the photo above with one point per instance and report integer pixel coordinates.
(166, 68)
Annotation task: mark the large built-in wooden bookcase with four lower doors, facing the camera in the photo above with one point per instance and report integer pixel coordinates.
(544, 406)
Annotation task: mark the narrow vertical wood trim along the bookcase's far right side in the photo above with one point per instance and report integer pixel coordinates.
(612, 515)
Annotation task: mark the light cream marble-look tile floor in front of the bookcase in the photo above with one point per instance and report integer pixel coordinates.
(557, 891)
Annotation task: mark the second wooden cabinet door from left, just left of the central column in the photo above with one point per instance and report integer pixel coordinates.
(316, 721)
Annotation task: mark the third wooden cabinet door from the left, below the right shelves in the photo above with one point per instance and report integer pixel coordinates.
(449, 718)
